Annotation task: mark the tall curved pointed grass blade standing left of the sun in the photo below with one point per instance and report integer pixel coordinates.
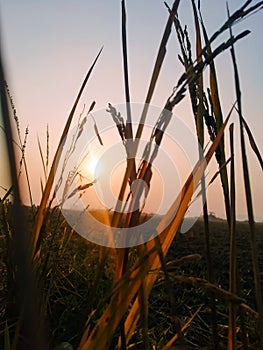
(50, 180)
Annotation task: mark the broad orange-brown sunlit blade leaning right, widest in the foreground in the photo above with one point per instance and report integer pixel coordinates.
(101, 335)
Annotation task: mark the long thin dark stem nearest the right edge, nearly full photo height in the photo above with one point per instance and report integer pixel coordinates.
(249, 201)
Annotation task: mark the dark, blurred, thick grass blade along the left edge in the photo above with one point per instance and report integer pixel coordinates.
(23, 283)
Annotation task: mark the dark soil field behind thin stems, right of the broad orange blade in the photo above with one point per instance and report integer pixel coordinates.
(188, 297)
